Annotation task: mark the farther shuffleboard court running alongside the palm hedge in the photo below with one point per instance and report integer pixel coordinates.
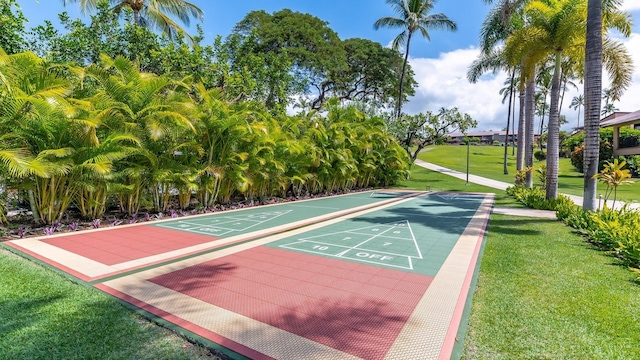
(92, 255)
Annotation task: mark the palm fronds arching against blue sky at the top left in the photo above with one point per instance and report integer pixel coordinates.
(154, 13)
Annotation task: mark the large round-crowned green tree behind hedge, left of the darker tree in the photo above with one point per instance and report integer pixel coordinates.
(284, 54)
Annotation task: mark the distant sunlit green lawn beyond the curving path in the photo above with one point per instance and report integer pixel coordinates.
(487, 161)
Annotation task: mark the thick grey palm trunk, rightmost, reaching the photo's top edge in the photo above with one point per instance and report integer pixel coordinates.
(592, 95)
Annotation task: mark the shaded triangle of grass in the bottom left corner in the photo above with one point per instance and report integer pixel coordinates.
(45, 316)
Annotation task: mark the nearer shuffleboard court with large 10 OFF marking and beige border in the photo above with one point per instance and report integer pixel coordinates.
(390, 282)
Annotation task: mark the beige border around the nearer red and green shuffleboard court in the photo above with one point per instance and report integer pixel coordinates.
(422, 337)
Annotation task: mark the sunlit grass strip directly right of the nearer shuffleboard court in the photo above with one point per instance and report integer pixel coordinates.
(544, 293)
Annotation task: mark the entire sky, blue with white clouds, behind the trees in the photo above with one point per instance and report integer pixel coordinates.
(440, 65)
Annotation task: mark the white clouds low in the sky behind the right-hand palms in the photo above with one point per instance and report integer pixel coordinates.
(442, 82)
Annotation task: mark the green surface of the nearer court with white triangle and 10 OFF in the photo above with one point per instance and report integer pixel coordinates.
(416, 235)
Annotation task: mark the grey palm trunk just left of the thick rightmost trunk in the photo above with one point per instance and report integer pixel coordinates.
(553, 134)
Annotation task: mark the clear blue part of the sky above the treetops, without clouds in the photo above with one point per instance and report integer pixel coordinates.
(349, 18)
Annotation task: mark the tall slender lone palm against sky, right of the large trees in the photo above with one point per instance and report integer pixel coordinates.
(414, 16)
